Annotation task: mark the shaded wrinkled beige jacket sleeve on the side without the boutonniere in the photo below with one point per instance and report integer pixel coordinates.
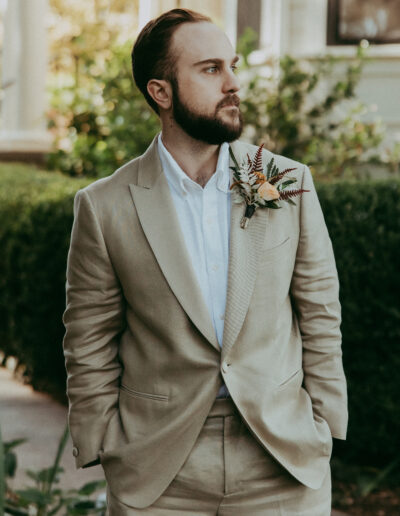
(93, 320)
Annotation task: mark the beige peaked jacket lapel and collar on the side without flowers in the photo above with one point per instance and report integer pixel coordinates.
(157, 215)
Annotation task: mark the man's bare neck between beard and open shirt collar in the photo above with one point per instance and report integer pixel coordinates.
(197, 159)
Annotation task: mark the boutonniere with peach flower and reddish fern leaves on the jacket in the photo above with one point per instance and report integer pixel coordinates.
(261, 188)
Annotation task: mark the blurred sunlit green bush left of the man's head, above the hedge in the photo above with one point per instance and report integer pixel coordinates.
(105, 122)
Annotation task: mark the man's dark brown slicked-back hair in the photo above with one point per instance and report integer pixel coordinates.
(151, 54)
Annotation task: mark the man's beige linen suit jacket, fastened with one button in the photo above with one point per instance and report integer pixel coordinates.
(143, 362)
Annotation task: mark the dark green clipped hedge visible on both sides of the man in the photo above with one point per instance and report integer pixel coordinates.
(364, 222)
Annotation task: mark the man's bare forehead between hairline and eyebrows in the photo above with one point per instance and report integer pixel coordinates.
(194, 42)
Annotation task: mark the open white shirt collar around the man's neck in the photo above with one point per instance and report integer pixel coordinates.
(181, 182)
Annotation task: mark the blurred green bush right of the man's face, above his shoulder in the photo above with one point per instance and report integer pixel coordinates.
(307, 110)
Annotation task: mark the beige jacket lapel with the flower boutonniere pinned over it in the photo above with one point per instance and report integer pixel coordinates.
(244, 252)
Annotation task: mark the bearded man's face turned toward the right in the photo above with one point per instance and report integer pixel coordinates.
(205, 103)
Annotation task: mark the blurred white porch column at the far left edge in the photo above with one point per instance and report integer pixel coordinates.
(23, 124)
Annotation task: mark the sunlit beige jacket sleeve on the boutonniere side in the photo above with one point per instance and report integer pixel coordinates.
(315, 294)
